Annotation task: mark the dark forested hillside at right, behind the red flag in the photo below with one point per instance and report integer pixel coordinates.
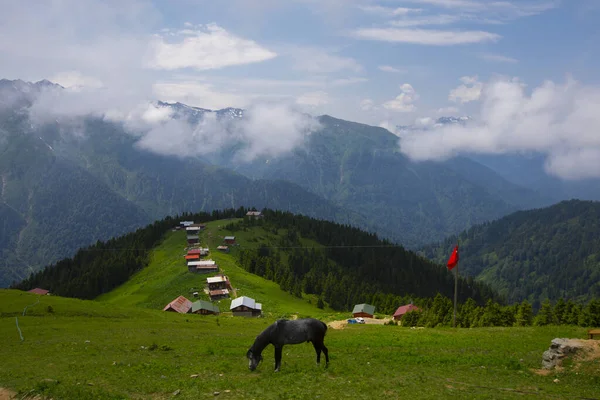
(535, 255)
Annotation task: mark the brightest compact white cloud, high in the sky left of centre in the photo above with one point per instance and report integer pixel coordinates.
(204, 48)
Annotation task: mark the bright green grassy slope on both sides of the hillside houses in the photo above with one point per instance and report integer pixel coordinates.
(167, 277)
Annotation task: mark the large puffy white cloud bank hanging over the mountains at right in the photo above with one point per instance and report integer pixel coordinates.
(559, 120)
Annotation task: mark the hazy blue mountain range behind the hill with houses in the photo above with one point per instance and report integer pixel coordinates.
(68, 182)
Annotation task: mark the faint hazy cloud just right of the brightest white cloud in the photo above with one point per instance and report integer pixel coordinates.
(316, 60)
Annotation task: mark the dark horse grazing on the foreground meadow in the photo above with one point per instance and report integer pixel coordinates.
(284, 331)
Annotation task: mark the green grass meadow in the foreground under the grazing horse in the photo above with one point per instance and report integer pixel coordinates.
(76, 349)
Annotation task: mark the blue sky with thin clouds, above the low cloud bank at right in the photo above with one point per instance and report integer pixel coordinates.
(348, 58)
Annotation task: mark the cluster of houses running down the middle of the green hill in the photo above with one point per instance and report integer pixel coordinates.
(218, 286)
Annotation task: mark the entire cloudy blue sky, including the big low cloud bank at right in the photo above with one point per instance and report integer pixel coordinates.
(381, 62)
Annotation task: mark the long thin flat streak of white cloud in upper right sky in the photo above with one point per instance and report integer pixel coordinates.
(425, 36)
